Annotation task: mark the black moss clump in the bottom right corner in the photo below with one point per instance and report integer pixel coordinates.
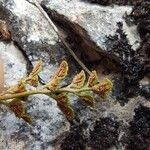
(139, 137)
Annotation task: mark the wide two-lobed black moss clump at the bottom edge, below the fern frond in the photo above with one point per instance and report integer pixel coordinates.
(102, 136)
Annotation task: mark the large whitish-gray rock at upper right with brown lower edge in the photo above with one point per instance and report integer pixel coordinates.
(93, 23)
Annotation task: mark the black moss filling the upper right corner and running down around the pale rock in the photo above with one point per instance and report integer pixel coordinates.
(135, 65)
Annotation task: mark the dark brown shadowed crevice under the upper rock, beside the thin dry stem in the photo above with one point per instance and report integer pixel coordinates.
(79, 40)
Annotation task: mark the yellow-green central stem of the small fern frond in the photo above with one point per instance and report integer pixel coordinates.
(43, 91)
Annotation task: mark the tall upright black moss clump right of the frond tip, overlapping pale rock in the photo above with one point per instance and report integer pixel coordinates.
(132, 64)
